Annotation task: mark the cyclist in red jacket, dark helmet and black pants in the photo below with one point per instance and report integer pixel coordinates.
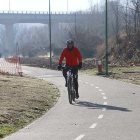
(72, 55)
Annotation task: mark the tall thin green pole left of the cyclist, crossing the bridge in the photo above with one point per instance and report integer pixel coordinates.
(50, 34)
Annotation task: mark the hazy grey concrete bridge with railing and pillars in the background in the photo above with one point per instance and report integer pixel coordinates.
(9, 18)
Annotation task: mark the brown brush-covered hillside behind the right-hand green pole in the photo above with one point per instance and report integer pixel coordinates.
(127, 52)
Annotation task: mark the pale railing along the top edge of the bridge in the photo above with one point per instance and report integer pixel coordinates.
(43, 12)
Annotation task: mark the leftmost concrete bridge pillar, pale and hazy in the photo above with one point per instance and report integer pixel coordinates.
(9, 38)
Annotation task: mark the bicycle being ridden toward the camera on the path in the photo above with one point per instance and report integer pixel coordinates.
(70, 83)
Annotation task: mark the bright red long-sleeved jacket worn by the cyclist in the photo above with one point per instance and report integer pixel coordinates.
(71, 57)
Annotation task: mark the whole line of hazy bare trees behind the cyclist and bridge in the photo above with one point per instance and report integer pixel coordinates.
(87, 30)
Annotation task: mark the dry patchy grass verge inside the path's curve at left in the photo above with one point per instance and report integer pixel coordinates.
(22, 100)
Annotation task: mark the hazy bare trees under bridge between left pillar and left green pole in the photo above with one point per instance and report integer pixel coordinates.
(33, 40)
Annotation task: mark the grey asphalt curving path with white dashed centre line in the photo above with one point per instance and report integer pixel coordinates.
(106, 110)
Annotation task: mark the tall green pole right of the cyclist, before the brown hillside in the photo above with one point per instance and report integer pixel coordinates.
(106, 38)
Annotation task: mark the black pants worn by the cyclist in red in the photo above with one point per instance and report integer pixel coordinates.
(75, 74)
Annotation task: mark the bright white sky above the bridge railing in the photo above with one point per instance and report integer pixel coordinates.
(43, 5)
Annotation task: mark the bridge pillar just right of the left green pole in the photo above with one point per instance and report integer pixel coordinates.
(55, 33)
